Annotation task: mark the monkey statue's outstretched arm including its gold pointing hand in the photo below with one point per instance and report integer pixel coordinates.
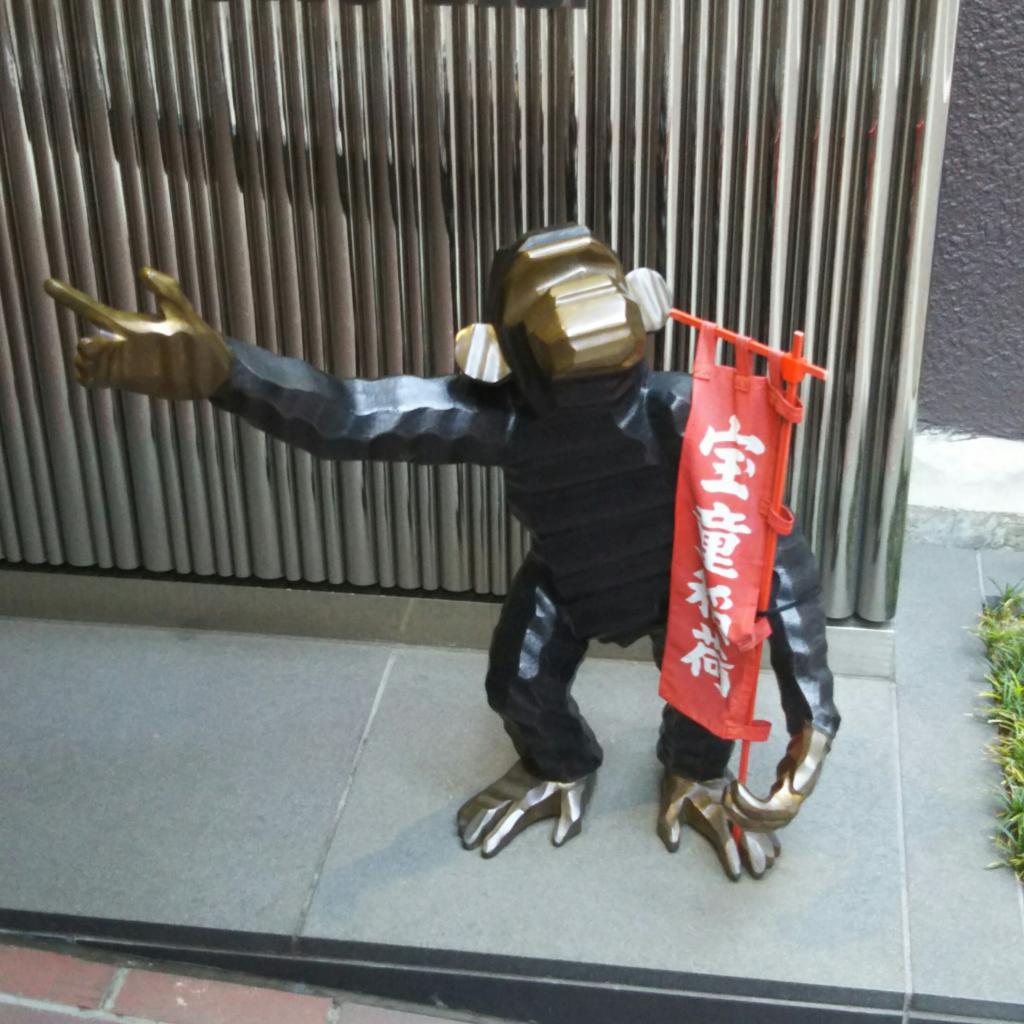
(180, 356)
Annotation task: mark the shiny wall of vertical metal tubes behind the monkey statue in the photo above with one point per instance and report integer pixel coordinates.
(329, 180)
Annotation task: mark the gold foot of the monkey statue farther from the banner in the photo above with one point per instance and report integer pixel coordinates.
(496, 816)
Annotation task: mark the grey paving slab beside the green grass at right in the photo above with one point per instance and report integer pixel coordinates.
(967, 936)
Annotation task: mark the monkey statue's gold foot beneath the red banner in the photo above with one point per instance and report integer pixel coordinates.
(700, 805)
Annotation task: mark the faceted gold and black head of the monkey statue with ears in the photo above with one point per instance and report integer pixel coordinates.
(560, 309)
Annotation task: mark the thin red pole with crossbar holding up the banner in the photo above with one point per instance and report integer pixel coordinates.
(792, 369)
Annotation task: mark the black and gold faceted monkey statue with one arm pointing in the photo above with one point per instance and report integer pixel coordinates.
(554, 390)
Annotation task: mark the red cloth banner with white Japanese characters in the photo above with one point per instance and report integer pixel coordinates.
(723, 537)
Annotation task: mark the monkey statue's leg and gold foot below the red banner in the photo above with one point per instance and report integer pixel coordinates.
(694, 787)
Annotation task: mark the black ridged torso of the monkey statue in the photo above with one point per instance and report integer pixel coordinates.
(594, 483)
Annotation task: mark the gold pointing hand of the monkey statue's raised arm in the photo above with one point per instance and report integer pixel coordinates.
(178, 356)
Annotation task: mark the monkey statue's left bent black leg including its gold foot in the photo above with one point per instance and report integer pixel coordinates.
(534, 659)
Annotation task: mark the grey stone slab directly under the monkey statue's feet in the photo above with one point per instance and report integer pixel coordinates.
(829, 915)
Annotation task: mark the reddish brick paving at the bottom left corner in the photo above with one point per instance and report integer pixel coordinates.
(40, 987)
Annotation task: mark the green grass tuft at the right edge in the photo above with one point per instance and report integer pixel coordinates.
(1002, 630)
